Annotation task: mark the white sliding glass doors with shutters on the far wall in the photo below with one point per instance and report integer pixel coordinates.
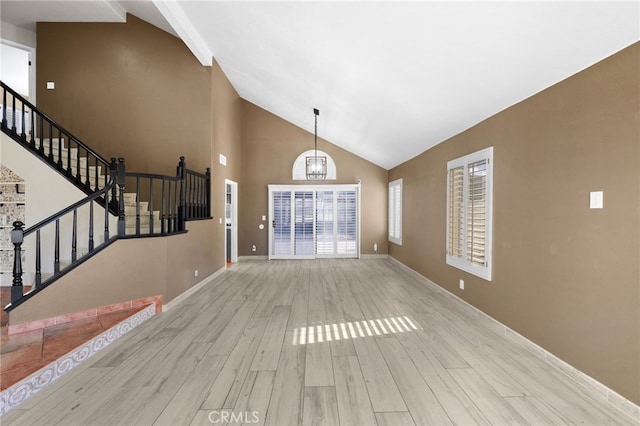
(310, 221)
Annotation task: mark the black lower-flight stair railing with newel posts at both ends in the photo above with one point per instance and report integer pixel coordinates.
(19, 233)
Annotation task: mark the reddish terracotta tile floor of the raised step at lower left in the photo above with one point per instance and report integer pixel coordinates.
(24, 353)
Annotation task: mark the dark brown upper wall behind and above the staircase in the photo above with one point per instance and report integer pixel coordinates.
(127, 90)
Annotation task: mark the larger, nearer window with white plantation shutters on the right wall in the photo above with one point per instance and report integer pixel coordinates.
(469, 195)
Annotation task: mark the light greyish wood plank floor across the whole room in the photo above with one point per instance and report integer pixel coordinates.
(325, 342)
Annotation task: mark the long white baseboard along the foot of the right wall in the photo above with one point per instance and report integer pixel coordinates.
(607, 394)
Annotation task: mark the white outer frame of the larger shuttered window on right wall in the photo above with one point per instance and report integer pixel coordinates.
(461, 262)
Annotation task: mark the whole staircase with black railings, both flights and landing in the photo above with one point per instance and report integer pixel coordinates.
(153, 204)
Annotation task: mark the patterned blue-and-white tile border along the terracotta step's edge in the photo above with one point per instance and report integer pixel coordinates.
(15, 395)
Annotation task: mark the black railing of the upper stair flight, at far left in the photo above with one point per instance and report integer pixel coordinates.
(48, 140)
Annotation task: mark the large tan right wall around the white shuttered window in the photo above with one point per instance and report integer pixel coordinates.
(565, 276)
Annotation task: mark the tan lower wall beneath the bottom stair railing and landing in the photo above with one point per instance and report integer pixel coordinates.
(128, 269)
